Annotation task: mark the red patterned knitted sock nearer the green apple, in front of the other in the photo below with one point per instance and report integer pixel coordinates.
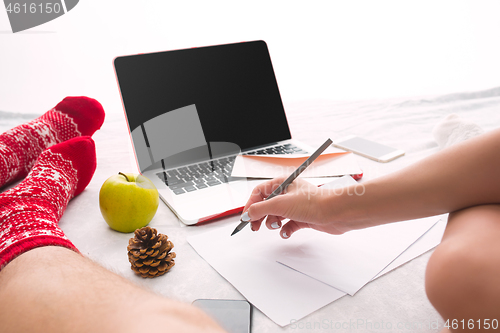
(30, 212)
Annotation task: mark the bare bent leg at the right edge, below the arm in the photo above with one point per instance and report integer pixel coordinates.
(463, 274)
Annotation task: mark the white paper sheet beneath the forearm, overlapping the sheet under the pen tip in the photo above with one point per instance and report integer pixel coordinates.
(349, 261)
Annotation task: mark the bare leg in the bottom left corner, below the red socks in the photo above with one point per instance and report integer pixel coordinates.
(53, 289)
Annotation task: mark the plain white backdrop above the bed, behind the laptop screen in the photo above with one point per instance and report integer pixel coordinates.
(335, 50)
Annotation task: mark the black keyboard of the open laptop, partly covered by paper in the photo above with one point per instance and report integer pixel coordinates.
(202, 175)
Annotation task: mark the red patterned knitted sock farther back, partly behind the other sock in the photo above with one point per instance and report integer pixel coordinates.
(21, 146)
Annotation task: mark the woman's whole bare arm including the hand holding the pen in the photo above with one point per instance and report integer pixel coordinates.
(464, 175)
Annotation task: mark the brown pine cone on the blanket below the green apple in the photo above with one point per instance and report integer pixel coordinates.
(149, 253)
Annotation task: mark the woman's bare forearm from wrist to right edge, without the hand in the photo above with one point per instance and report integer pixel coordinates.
(464, 175)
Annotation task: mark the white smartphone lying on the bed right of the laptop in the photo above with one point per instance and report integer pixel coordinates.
(369, 149)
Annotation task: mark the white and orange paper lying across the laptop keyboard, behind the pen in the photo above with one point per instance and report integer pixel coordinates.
(271, 166)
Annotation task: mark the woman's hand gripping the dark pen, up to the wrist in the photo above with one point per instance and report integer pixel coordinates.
(305, 204)
